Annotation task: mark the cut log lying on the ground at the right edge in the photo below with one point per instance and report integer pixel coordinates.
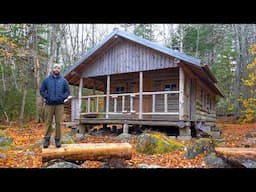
(238, 157)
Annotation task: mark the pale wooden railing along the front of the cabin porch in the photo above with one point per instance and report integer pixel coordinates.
(94, 104)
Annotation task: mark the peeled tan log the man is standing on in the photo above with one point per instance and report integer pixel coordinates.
(88, 151)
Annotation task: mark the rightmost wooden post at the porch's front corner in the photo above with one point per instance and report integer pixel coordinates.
(181, 94)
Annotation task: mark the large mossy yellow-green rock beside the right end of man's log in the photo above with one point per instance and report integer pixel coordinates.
(155, 143)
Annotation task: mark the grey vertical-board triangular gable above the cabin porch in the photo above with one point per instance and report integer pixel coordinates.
(128, 56)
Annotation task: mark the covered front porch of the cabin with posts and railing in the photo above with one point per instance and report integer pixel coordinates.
(140, 98)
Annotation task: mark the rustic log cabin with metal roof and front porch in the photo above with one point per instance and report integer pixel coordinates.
(139, 82)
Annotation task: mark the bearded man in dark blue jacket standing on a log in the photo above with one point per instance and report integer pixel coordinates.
(54, 90)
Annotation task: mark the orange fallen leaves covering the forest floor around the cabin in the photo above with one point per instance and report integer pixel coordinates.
(25, 150)
